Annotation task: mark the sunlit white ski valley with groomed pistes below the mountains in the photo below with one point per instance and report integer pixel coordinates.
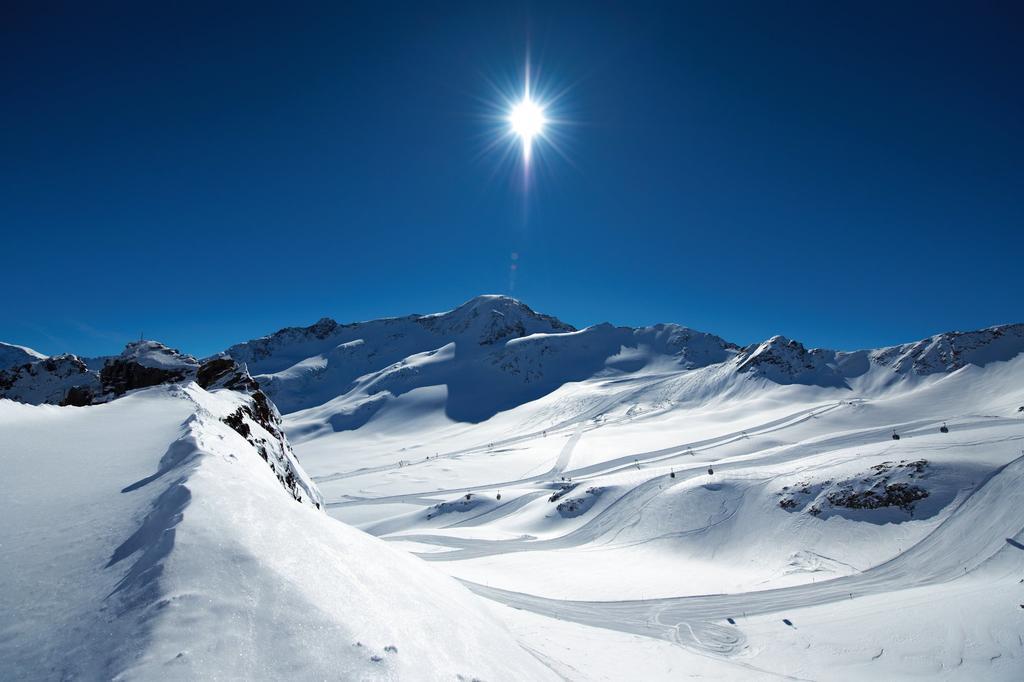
(711, 563)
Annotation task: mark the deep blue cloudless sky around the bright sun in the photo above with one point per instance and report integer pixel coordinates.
(848, 177)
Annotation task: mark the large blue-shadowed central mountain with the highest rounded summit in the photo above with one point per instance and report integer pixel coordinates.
(493, 354)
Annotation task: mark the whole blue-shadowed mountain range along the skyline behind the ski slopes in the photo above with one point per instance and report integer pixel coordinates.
(494, 354)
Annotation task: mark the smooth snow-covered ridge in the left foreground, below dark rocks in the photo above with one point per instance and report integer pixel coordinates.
(166, 548)
